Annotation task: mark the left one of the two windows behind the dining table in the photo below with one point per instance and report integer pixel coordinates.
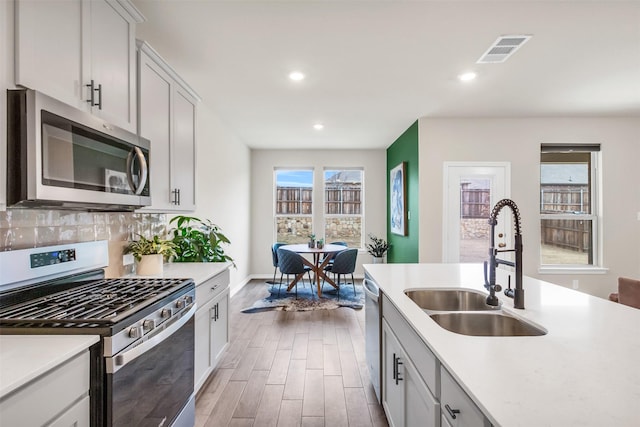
(293, 205)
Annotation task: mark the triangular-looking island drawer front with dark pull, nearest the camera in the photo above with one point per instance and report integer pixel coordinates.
(457, 400)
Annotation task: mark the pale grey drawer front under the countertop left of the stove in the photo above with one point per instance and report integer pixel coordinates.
(49, 395)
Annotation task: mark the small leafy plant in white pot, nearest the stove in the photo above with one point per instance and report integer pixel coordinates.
(150, 254)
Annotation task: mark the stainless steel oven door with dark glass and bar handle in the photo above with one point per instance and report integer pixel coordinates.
(152, 384)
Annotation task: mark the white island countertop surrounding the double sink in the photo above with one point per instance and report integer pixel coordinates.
(584, 372)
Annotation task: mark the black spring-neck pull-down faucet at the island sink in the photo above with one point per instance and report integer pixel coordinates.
(490, 282)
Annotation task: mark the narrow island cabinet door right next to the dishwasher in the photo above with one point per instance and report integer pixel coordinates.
(392, 390)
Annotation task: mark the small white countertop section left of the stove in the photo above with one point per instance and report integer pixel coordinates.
(26, 357)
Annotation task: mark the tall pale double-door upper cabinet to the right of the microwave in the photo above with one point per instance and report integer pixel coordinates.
(167, 117)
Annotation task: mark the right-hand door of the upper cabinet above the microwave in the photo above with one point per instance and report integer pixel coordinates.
(111, 52)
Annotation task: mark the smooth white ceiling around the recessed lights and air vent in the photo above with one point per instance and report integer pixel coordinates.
(374, 67)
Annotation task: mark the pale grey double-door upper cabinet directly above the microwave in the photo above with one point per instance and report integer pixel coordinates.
(81, 52)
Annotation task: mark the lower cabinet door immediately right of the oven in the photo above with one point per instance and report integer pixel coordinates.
(203, 334)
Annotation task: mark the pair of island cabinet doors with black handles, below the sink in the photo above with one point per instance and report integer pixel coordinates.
(406, 398)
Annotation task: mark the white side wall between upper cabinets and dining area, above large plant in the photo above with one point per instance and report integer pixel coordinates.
(223, 186)
